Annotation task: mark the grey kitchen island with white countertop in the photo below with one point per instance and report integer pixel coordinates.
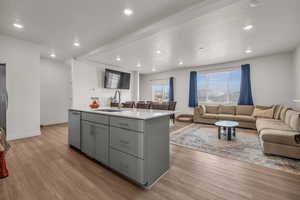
(132, 142)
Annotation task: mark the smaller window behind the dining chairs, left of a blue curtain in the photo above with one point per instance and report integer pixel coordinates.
(160, 91)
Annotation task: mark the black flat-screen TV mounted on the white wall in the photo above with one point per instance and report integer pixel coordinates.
(116, 79)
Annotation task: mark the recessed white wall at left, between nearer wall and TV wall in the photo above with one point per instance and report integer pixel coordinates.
(55, 91)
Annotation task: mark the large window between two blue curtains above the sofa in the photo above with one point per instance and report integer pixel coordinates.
(219, 87)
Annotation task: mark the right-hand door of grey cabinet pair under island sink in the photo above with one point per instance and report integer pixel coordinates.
(101, 143)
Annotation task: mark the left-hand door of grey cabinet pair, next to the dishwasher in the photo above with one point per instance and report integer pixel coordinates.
(87, 139)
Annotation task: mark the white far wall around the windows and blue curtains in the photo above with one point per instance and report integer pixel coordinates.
(271, 80)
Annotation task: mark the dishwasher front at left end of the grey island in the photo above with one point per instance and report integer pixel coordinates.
(74, 129)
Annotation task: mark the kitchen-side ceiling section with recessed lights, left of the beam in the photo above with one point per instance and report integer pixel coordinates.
(56, 24)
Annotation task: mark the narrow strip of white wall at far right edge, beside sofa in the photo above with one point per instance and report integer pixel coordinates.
(296, 77)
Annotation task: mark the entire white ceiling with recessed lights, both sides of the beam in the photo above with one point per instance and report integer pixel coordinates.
(194, 32)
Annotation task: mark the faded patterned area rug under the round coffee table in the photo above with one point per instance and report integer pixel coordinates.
(245, 147)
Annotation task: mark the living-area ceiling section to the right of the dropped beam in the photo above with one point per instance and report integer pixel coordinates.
(219, 31)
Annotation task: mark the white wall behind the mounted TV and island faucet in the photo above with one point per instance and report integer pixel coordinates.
(87, 81)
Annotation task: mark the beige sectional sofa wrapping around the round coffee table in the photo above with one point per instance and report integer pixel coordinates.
(279, 134)
